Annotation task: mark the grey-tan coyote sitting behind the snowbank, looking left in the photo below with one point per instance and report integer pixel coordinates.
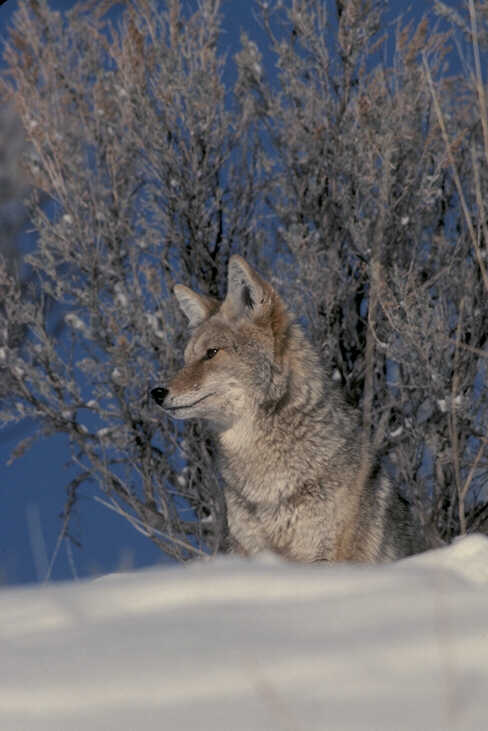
(297, 479)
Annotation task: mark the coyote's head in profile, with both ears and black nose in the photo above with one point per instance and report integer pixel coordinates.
(237, 360)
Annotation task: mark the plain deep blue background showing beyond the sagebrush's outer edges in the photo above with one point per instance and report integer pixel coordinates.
(32, 488)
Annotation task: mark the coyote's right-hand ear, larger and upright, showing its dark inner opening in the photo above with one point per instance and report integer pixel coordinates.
(247, 292)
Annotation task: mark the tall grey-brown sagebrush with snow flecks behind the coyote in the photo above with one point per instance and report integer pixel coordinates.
(354, 178)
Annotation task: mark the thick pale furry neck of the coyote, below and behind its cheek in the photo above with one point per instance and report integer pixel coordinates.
(276, 447)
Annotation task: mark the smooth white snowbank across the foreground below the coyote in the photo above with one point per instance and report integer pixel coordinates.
(262, 645)
